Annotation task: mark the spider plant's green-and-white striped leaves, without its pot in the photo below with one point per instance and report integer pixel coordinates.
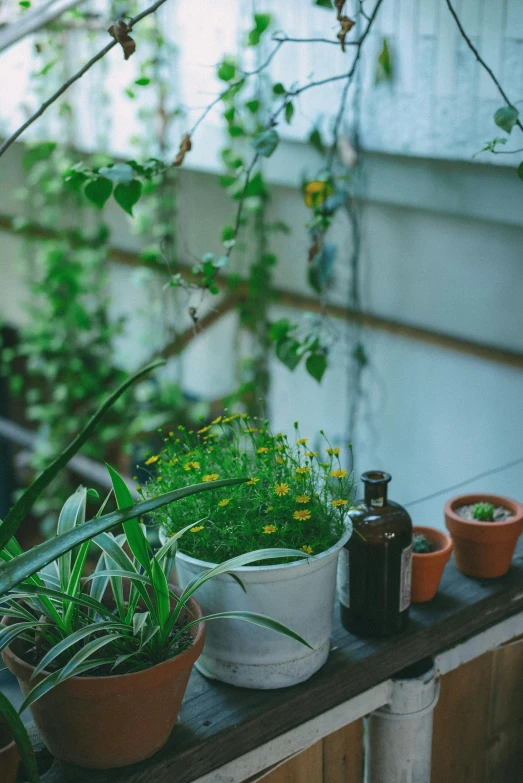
(76, 631)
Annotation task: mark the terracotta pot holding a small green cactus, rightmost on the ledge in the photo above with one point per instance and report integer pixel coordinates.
(483, 549)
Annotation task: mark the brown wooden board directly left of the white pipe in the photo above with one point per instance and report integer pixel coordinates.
(343, 755)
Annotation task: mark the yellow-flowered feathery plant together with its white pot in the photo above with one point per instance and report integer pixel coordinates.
(296, 497)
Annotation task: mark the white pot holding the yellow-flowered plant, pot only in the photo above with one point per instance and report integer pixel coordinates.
(300, 595)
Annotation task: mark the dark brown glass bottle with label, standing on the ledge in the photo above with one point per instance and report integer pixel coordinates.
(374, 568)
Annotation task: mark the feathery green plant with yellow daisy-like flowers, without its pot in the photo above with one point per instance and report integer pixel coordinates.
(295, 497)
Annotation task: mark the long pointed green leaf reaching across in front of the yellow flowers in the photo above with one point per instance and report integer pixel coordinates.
(27, 564)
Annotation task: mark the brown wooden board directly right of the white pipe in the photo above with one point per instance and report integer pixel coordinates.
(459, 743)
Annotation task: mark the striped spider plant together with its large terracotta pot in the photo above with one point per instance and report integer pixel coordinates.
(104, 662)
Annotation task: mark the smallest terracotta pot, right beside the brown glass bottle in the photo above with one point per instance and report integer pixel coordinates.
(427, 567)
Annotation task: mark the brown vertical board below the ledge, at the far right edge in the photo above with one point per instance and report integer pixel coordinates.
(505, 740)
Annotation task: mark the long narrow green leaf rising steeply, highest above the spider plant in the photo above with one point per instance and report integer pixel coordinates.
(25, 503)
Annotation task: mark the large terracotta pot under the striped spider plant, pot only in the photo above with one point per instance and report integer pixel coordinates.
(107, 722)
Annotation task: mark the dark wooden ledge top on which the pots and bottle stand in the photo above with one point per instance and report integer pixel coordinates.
(219, 723)
